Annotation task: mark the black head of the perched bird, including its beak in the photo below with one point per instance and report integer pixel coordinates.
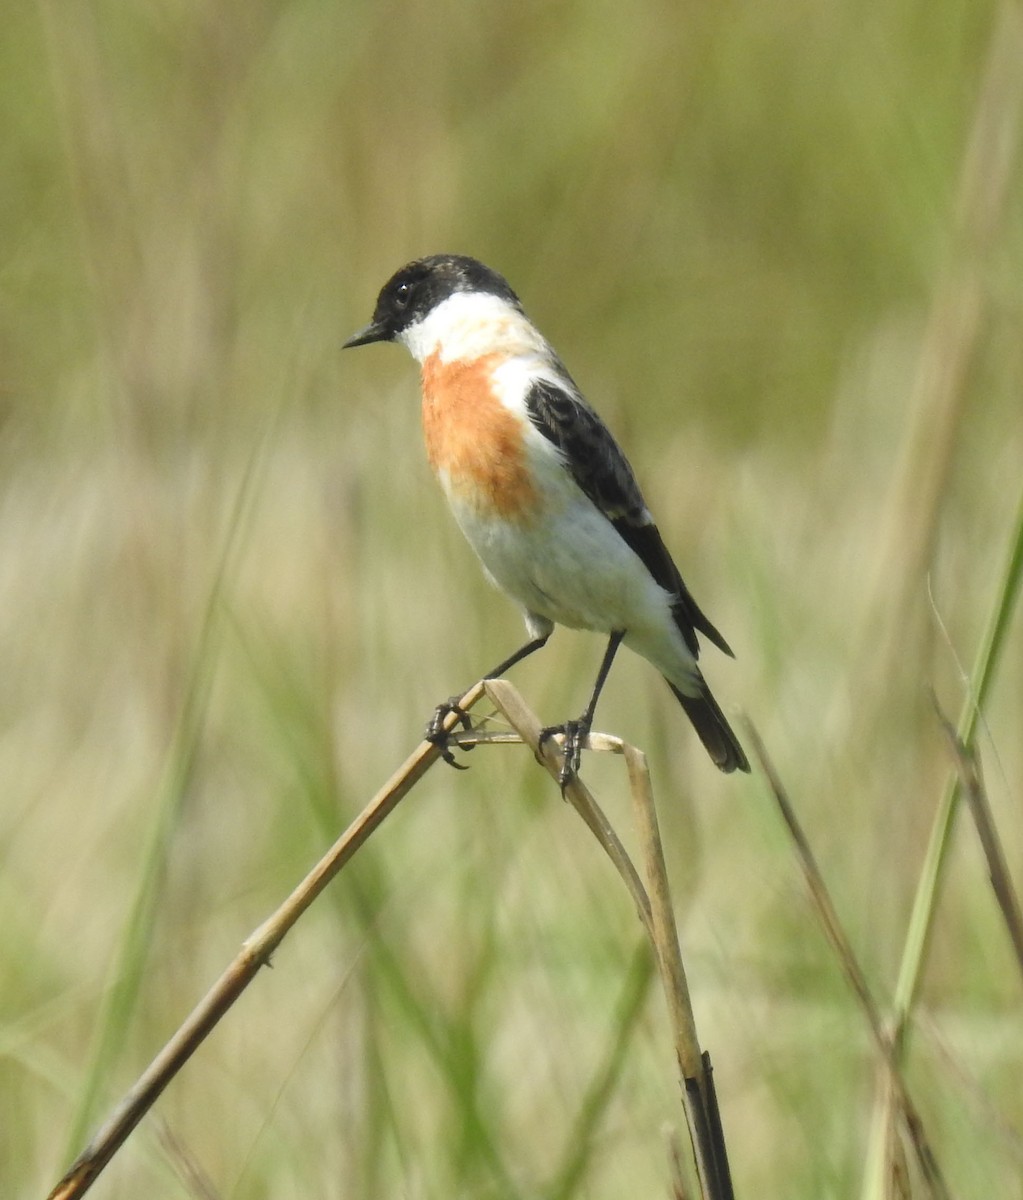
(420, 287)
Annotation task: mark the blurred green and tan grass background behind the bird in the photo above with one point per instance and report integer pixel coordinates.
(231, 593)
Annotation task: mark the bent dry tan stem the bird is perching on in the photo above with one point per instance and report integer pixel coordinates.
(654, 910)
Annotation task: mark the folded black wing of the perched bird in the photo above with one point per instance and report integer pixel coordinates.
(605, 476)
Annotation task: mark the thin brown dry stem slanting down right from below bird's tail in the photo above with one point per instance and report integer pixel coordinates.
(836, 935)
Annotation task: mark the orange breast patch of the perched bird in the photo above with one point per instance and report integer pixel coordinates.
(474, 440)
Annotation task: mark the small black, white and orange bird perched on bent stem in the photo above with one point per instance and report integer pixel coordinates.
(543, 494)
